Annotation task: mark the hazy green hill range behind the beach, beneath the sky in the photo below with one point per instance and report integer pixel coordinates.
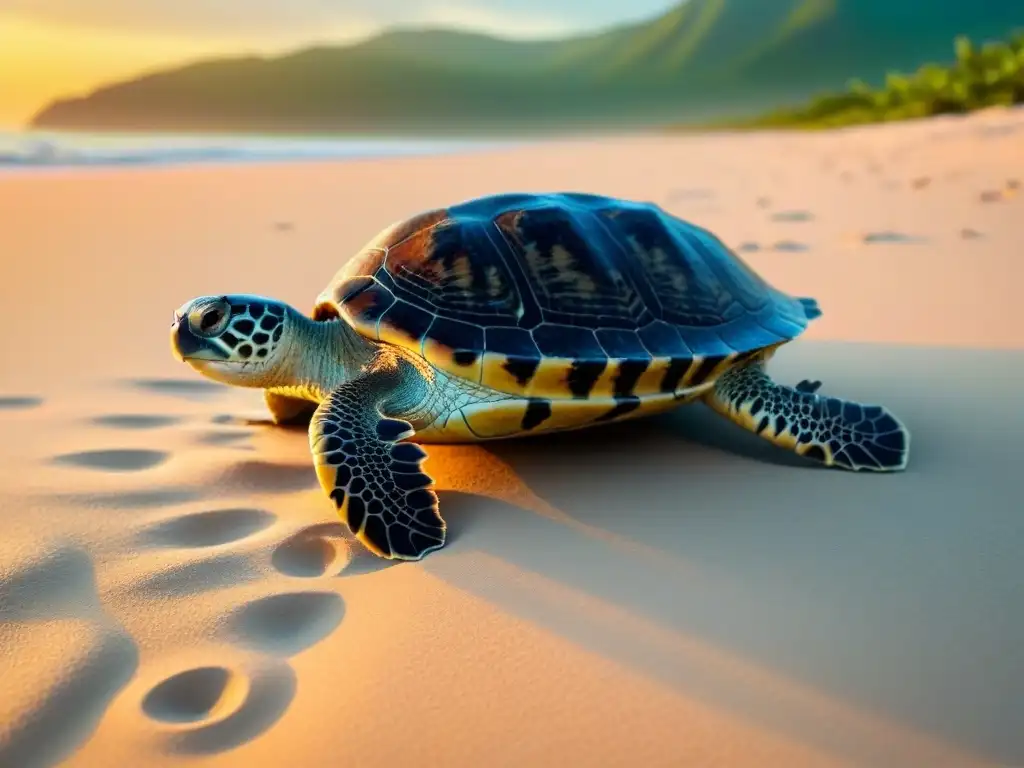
(701, 59)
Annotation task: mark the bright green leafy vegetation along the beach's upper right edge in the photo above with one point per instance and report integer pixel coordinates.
(990, 75)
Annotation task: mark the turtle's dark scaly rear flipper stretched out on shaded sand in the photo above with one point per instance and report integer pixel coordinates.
(833, 432)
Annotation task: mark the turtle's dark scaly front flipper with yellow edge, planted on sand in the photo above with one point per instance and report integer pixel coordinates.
(376, 482)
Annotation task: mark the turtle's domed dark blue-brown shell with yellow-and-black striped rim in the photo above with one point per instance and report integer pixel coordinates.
(564, 296)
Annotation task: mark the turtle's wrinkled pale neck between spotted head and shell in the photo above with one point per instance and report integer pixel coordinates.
(319, 357)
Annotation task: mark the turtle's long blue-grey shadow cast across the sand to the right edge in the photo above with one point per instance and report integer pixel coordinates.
(690, 526)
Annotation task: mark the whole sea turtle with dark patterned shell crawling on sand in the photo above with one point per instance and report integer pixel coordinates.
(518, 315)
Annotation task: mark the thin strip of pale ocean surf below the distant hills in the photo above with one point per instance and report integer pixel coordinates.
(30, 150)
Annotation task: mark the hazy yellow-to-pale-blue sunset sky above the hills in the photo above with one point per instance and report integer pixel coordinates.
(54, 49)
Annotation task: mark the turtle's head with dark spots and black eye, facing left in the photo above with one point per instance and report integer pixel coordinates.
(240, 340)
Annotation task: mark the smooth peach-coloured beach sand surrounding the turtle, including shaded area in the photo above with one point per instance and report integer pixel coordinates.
(175, 587)
